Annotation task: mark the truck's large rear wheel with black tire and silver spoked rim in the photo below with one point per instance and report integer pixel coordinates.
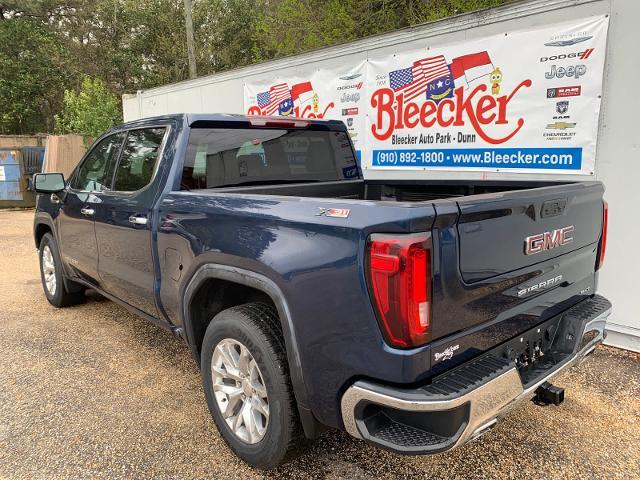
(247, 385)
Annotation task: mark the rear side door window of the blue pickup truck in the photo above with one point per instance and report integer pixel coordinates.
(138, 160)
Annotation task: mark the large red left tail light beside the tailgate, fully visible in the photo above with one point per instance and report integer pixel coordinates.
(399, 274)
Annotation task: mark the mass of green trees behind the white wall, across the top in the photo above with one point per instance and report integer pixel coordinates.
(48, 46)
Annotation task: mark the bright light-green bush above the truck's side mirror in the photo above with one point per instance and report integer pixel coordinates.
(89, 112)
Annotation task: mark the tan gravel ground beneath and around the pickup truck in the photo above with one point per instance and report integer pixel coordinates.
(94, 392)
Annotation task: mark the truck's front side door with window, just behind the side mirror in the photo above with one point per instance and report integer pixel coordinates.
(76, 233)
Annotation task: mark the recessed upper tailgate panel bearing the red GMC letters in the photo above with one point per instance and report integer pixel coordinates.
(503, 232)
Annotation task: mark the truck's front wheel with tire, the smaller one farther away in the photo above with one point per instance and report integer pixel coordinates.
(52, 276)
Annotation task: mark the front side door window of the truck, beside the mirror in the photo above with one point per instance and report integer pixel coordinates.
(97, 169)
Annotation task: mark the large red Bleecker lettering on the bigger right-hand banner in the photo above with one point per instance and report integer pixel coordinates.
(392, 113)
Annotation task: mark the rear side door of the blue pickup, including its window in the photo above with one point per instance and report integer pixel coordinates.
(123, 222)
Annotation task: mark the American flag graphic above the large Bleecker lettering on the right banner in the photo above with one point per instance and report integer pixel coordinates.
(413, 81)
